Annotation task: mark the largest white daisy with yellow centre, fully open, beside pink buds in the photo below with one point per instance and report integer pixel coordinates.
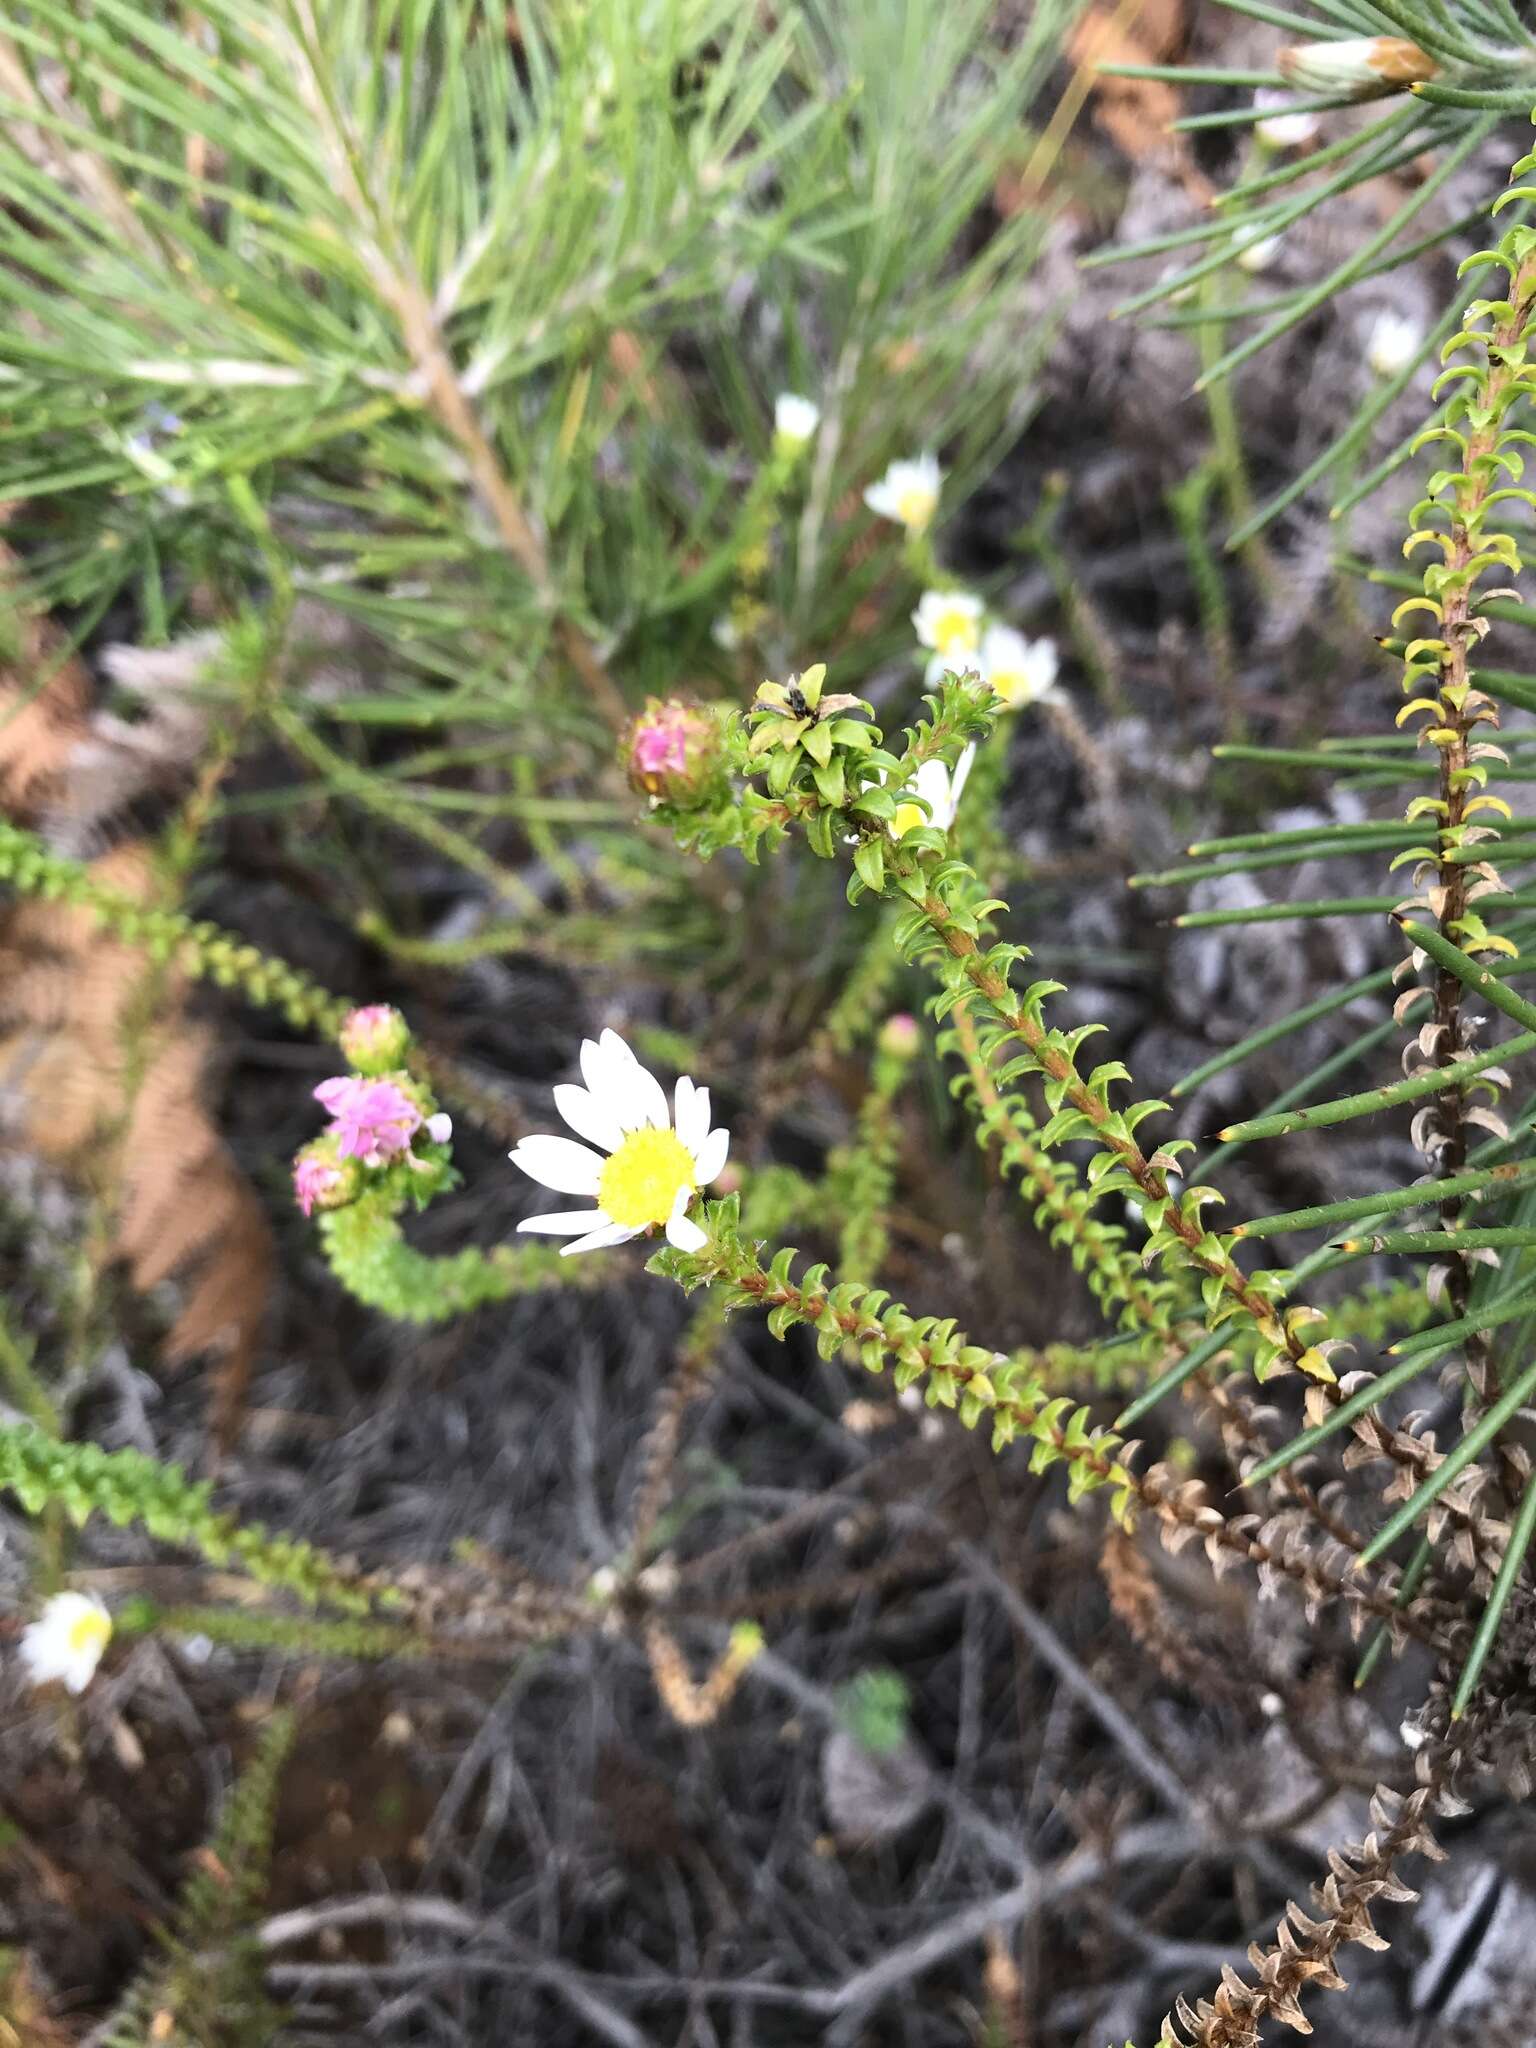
(656, 1158)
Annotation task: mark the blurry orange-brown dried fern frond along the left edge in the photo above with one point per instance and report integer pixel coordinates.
(101, 1070)
